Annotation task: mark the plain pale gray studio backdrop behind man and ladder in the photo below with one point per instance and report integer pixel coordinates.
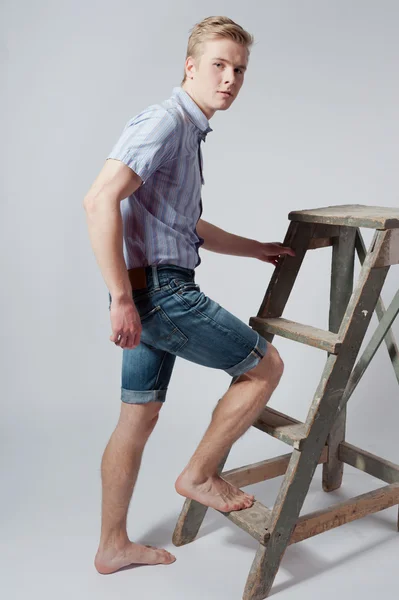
(315, 124)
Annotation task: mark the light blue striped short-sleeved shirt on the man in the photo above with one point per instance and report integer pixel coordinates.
(162, 144)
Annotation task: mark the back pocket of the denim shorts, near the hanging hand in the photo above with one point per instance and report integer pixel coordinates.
(158, 330)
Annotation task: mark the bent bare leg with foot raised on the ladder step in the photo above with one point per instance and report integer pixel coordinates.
(233, 415)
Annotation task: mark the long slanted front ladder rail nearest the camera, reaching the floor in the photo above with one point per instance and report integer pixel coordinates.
(320, 419)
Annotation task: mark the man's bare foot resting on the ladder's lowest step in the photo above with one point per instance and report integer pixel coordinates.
(214, 492)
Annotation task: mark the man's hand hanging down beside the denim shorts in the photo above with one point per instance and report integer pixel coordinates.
(125, 323)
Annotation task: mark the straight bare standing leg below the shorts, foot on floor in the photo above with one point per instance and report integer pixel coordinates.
(119, 468)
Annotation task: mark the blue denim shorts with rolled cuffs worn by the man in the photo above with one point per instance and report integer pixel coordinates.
(178, 319)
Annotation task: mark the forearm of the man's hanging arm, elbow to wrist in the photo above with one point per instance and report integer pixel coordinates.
(105, 227)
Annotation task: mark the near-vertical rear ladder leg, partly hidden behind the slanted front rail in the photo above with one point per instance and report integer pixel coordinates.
(341, 289)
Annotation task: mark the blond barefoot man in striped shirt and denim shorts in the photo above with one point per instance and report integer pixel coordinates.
(147, 256)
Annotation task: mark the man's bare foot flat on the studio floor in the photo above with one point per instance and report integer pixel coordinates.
(111, 559)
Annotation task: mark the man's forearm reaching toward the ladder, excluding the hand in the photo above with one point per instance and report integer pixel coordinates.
(223, 242)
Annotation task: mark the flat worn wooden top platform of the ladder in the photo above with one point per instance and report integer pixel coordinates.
(351, 215)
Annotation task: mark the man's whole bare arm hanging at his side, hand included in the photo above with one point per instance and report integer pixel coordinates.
(115, 182)
